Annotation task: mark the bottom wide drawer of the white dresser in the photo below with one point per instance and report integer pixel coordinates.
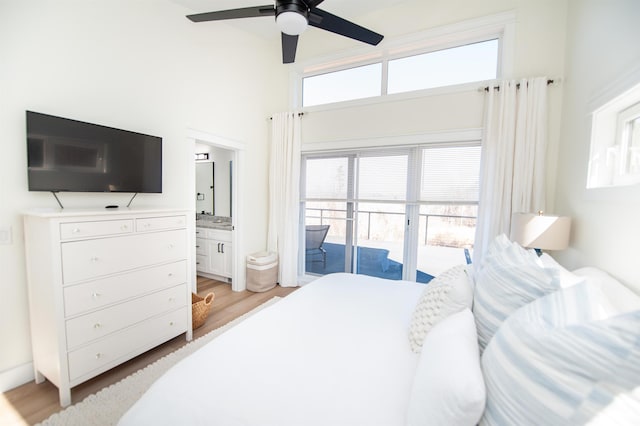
(103, 354)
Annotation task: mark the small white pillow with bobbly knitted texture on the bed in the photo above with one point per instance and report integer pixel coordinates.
(446, 294)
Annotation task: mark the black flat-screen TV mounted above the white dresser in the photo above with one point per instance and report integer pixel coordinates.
(74, 156)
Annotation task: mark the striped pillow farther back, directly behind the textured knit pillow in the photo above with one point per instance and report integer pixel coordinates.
(508, 280)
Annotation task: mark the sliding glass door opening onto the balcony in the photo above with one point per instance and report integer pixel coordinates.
(393, 213)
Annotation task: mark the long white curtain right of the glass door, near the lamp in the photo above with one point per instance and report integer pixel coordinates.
(512, 176)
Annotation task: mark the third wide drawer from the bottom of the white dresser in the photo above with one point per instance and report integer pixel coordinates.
(99, 293)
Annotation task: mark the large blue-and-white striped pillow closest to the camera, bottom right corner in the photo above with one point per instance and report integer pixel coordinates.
(569, 358)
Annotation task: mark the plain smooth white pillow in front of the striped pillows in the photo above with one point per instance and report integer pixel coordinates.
(448, 387)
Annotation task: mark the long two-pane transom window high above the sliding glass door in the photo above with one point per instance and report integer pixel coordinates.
(466, 63)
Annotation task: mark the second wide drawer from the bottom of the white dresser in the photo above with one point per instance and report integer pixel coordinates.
(95, 325)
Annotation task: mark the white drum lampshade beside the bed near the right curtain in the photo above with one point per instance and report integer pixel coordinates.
(540, 231)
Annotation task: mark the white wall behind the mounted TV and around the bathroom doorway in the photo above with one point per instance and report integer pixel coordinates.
(138, 65)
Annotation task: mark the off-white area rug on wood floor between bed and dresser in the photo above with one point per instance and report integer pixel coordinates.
(109, 404)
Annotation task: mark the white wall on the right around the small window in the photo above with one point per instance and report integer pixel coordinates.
(602, 47)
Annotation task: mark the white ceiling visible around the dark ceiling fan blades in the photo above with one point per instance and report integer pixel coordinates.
(265, 27)
